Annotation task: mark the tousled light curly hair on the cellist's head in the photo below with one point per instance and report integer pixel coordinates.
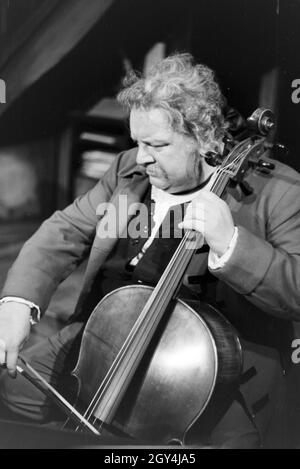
(189, 94)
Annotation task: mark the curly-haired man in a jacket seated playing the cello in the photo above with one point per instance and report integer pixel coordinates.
(253, 248)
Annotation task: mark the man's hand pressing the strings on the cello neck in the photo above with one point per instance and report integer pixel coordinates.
(211, 216)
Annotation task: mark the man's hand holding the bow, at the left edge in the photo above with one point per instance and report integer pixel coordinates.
(14, 332)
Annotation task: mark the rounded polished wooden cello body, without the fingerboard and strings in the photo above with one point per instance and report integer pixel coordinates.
(194, 353)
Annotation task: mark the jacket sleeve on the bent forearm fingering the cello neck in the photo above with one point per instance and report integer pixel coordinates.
(267, 271)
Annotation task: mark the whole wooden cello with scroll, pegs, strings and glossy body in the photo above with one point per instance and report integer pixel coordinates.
(151, 372)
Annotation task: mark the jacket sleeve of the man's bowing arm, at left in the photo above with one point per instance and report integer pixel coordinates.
(59, 245)
